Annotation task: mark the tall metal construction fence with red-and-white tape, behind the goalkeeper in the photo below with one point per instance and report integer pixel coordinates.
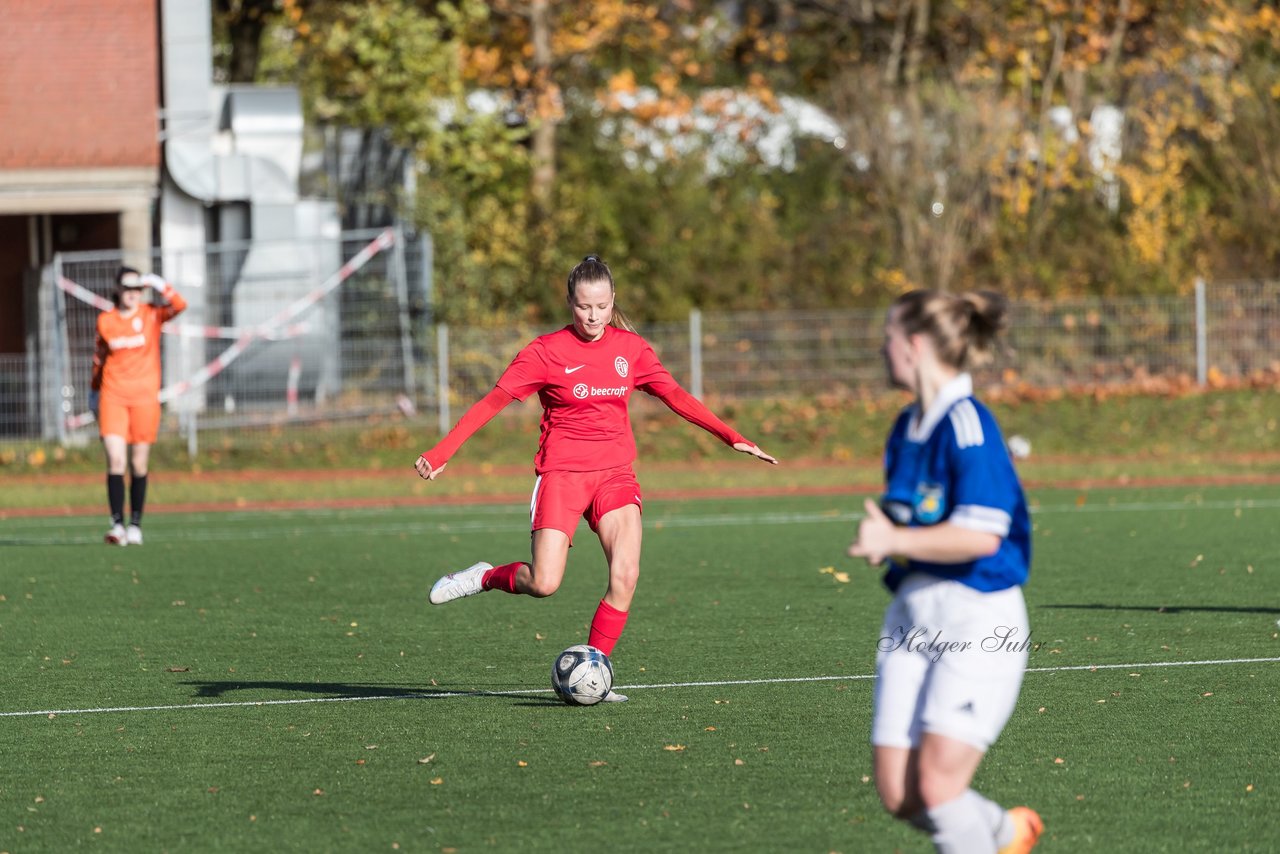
(273, 334)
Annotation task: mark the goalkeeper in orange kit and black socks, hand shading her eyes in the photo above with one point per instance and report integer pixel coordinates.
(126, 392)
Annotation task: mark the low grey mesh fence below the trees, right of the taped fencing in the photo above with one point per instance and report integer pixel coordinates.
(1229, 331)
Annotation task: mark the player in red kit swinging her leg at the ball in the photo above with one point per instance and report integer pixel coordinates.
(584, 376)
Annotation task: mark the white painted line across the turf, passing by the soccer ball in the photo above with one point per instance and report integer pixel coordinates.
(858, 678)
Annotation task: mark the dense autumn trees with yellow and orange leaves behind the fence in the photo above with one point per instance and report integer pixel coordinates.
(1041, 147)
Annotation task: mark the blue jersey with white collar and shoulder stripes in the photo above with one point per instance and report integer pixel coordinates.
(950, 465)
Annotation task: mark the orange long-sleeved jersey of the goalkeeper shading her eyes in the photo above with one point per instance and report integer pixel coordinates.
(127, 354)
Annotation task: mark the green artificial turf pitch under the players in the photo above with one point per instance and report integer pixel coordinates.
(277, 682)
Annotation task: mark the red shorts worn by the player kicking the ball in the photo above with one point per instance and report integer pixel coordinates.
(561, 499)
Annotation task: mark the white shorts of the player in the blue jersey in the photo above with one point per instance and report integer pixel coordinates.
(950, 661)
